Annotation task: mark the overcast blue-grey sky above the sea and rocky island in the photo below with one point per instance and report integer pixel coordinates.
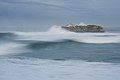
(38, 15)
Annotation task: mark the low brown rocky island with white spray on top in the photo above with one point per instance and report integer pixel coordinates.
(83, 28)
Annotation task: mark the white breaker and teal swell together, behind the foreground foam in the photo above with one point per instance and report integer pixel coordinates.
(56, 43)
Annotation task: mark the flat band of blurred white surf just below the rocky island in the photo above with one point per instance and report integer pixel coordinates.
(77, 37)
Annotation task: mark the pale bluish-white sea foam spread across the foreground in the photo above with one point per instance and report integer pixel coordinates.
(37, 69)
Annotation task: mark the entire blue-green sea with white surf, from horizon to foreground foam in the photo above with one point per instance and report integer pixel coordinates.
(57, 54)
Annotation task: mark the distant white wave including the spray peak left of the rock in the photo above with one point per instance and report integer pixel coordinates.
(57, 34)
